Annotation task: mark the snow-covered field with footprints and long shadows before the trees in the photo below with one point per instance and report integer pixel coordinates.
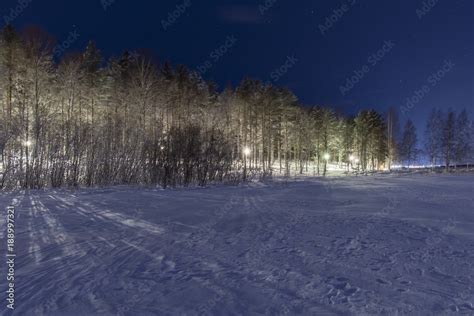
(382, 245)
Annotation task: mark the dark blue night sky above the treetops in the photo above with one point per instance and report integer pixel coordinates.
(322, 43)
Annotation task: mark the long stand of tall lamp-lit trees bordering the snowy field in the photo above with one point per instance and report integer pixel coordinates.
(80, 121)
